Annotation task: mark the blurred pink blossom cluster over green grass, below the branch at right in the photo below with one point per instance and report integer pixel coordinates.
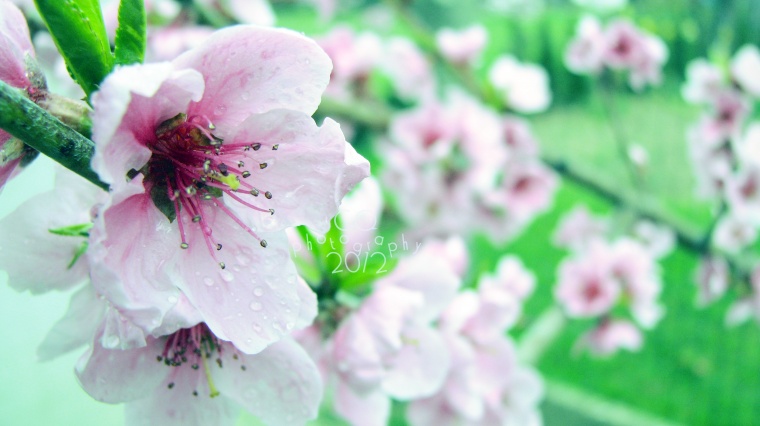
(607, 274)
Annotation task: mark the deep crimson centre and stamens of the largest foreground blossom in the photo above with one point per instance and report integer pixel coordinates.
(191, 169)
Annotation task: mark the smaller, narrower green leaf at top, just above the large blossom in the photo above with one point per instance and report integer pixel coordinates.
(131, 34)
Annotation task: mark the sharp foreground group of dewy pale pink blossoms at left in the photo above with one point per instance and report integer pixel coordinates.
(184, 260)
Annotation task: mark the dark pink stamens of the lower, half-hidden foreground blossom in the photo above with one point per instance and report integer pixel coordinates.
(196, 345)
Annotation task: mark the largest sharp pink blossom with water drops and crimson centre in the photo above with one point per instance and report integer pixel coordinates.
(209, 158)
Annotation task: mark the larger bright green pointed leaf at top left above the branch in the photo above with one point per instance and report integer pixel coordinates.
(79, 32)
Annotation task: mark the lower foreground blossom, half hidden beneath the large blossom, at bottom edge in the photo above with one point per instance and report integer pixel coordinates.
(201, 379)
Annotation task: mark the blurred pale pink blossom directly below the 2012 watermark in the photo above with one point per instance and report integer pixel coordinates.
(387, 347)
